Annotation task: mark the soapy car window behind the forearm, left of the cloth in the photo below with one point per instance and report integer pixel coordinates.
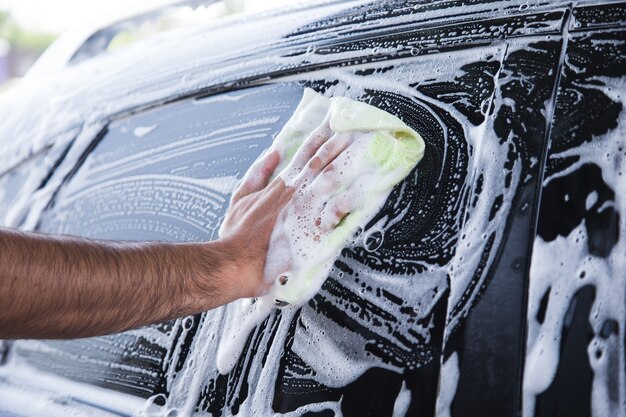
(163, 175)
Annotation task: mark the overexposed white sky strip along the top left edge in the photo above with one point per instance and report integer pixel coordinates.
(58, 16)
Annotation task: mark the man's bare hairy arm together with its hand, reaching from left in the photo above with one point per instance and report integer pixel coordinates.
(66, 287)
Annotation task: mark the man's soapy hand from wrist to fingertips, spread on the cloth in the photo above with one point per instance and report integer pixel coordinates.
(257, 202)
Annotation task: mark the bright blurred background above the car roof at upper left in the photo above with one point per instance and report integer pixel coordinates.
(28, 27)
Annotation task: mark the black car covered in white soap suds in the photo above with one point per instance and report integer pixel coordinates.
(492, 283)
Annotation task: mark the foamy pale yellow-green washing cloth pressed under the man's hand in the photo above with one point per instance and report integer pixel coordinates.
(366, 152)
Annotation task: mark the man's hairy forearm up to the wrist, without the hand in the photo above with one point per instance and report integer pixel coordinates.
(58, 286)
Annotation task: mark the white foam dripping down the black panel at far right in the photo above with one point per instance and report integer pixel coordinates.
(579, 268)
